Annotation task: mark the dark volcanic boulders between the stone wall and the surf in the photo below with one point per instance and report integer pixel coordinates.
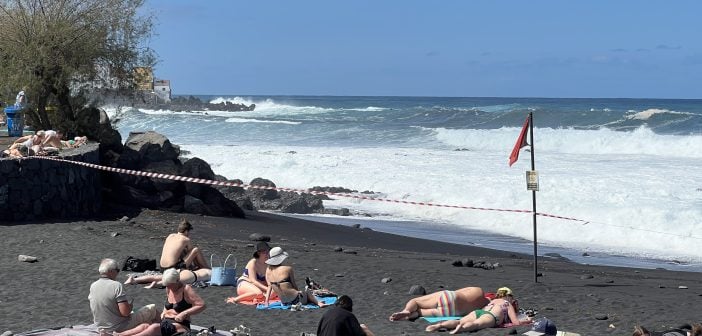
(153, 152)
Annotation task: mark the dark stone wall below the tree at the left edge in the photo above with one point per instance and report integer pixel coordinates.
(32, 189)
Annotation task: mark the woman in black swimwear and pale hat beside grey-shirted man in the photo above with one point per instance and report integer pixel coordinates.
(182, 302)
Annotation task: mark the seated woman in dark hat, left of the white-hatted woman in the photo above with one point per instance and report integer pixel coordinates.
(252, 282)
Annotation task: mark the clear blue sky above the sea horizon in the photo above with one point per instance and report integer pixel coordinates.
(456, 48)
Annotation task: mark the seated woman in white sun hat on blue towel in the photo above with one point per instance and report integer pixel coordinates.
(281, 281)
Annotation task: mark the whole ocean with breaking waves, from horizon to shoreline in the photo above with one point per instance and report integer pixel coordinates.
(627, 169)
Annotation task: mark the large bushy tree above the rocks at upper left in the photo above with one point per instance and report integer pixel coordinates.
(66, 51)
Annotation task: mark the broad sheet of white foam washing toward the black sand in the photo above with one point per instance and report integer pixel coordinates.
(619, 215)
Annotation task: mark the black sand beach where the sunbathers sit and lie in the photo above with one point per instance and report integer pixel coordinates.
(590, 300)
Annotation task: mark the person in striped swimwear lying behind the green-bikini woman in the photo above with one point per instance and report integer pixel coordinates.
(443, 303)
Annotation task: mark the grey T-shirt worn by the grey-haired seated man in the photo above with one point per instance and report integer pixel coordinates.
(104, 296)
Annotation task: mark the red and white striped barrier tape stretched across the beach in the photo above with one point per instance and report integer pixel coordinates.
(248, 186)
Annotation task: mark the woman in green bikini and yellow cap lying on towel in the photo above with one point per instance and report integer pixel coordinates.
(496, 313)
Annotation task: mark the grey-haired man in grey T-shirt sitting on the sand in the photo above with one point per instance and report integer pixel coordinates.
(110, 305)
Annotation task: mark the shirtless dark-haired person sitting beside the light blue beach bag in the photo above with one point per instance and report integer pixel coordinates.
(179, 253)
